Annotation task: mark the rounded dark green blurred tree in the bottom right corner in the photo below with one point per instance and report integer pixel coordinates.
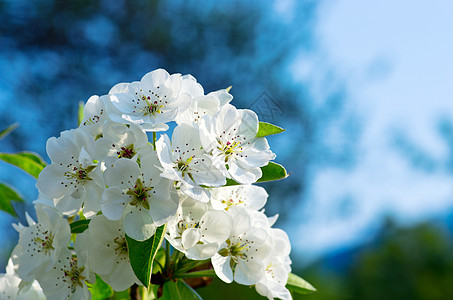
(415, 263)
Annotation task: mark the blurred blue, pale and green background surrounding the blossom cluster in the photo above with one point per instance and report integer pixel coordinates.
(364, 89)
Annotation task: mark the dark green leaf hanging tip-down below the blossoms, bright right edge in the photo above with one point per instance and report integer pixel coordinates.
(142, 254)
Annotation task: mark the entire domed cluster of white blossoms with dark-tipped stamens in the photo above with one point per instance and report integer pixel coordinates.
(114, 171)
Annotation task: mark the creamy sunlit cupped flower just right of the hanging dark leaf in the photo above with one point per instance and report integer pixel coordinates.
(196, 230)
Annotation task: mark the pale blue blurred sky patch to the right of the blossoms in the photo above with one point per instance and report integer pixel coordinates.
(396, 60)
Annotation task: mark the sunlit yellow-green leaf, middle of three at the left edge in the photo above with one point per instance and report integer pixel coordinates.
(27, 161)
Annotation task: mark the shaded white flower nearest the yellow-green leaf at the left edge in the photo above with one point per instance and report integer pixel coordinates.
(73, 179)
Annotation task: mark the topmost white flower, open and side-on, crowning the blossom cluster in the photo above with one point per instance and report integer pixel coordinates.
(152, 102)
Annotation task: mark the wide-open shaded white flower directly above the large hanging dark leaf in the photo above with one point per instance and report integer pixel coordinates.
(139, 194)
